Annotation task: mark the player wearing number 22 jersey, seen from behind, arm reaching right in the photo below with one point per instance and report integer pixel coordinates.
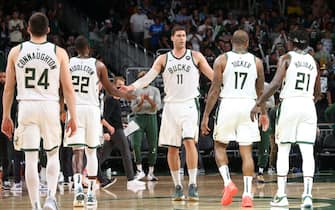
(87, 72)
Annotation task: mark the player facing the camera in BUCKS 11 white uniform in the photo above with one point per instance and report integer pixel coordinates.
(180, 120)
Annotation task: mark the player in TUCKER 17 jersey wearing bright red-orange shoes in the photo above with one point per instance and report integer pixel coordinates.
(238, 79)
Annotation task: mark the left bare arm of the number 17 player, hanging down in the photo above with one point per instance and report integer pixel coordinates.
(214, 91)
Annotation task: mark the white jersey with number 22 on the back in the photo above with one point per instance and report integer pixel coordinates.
(85, 80)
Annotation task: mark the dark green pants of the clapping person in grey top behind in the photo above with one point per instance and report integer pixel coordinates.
(148, 125)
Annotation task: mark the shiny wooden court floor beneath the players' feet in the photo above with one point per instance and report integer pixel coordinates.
(157, 196)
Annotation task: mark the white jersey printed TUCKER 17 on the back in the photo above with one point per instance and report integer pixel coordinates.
(239, 76)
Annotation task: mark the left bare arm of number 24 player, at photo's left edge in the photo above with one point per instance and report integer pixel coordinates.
(7, 126)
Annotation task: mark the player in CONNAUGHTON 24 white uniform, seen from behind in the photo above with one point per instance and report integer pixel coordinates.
(39, 69)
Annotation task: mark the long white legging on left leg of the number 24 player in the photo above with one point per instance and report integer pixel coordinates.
(32, 179)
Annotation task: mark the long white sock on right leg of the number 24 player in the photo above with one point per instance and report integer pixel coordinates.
(52, 171)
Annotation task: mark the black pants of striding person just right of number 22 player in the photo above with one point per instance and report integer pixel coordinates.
(118, 140)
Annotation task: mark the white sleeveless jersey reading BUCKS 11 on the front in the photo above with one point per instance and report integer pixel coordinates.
(180, 77)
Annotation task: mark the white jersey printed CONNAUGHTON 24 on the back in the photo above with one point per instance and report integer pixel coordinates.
(37, 72)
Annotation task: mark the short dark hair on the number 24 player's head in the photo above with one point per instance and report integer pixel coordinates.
(38, 24)
